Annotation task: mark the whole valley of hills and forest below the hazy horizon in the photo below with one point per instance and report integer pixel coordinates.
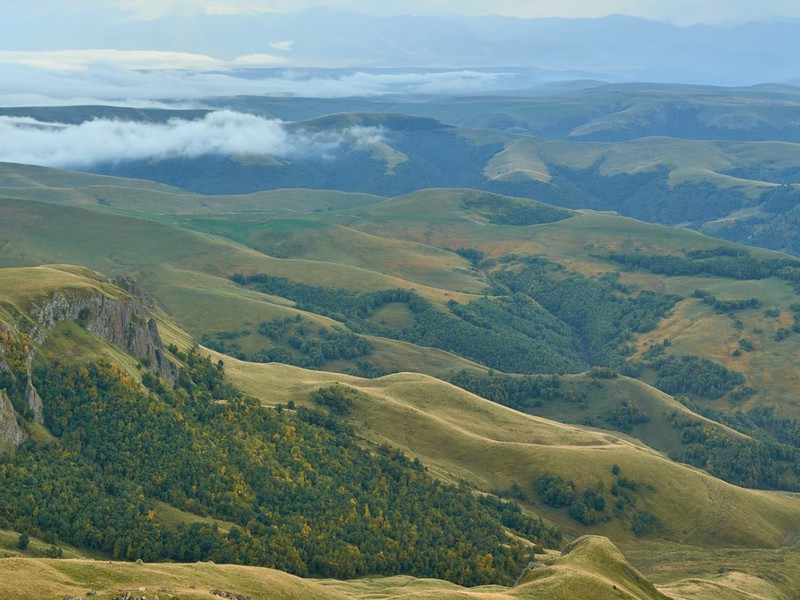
(475, 347)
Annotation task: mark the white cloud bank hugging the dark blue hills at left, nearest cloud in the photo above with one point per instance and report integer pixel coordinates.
(30, 141)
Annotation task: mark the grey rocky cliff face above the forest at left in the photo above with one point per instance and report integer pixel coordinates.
(126, 324)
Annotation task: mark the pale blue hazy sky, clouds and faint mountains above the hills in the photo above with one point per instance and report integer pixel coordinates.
(146, 52)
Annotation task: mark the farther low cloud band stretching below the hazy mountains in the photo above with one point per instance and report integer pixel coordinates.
(52, 78)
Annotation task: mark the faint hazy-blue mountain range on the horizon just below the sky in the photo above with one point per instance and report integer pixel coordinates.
(615, 48)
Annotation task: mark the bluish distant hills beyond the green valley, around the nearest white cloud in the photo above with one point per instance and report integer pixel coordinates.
(722, 161)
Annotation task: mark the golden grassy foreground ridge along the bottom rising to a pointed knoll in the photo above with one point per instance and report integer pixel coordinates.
(592, 566)
